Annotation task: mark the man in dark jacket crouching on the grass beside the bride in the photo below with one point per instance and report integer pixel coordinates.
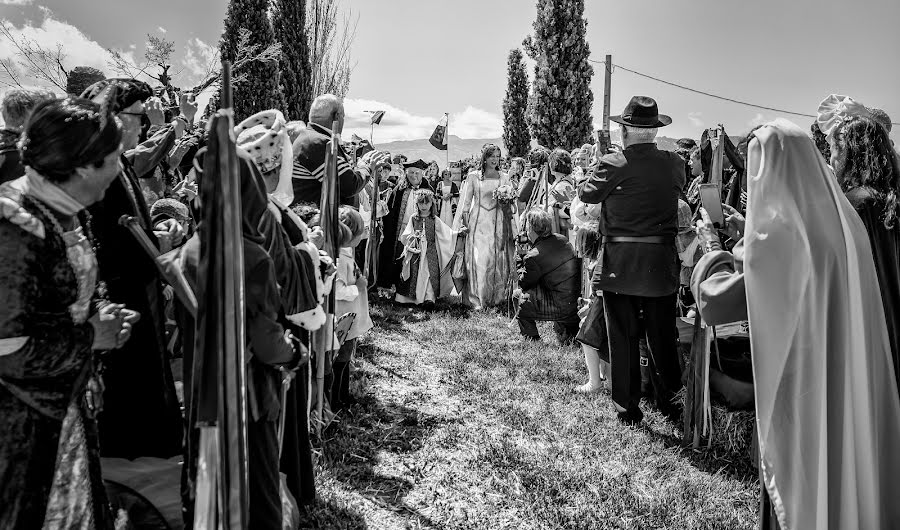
(550, 278)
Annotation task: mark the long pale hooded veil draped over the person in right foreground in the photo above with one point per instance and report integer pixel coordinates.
(826, 399)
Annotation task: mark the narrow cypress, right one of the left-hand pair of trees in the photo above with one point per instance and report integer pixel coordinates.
(289, 22)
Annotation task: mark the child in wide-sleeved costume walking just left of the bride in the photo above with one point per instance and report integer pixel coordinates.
(428, 245)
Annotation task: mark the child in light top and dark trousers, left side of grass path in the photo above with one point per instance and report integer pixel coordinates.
(351, 296)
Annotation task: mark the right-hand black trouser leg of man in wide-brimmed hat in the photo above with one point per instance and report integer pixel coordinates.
(662, 335)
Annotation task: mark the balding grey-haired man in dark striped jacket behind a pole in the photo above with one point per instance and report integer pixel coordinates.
(309, 156)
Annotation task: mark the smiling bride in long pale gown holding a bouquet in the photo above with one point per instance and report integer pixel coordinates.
(490, 245)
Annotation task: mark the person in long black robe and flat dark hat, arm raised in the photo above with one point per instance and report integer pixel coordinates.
(141, 414)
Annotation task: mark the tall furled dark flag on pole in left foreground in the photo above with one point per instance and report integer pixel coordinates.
(220, 360)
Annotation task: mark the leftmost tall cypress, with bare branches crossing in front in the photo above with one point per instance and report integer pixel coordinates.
(257, 86)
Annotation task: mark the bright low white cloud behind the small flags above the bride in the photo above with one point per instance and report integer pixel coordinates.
(399, 124)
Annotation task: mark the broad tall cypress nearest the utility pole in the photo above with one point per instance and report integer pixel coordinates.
(559, 107)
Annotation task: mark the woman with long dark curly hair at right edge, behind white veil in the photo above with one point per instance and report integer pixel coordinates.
(868, 171)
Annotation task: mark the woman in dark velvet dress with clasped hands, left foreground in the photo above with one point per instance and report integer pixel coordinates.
(49, 327)
